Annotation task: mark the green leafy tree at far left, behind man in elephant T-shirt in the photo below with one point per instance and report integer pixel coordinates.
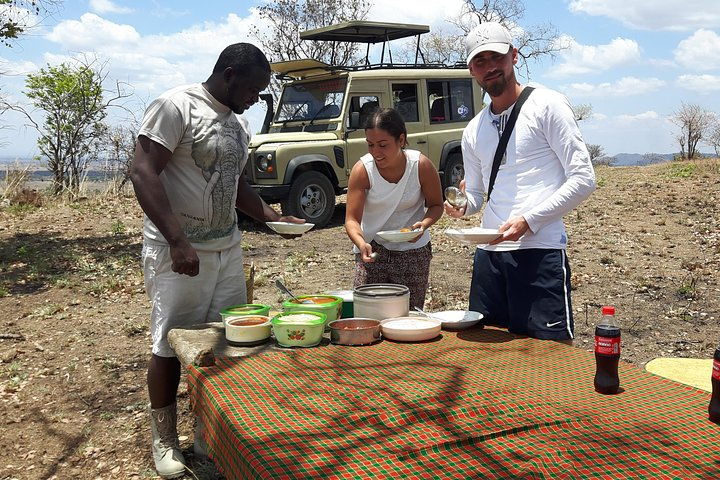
(71, 134)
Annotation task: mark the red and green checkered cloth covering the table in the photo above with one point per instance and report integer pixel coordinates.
(473, 404)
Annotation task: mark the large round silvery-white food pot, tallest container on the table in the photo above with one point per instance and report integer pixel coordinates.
(381, 301)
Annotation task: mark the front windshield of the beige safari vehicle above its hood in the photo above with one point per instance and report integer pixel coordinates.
(311, 100)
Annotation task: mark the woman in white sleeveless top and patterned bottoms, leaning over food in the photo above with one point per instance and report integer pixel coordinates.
(392, 188)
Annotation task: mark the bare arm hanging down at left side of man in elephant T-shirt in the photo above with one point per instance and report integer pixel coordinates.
(149, 161)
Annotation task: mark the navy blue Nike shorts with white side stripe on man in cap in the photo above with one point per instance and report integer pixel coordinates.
(525, 291)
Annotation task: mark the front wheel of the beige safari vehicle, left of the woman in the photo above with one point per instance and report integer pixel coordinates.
(311, 197)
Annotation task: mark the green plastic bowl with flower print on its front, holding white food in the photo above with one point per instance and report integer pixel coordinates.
(299, 328)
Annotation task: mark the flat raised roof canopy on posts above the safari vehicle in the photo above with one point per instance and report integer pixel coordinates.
(360, 31)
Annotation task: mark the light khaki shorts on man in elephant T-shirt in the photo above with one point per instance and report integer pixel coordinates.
(180, 300)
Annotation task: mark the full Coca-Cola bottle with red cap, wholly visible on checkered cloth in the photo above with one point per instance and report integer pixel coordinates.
(607, 353)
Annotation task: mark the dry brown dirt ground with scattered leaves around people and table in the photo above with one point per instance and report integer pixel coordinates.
(74, 338)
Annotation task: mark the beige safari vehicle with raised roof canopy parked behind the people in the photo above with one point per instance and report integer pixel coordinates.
(308, 146)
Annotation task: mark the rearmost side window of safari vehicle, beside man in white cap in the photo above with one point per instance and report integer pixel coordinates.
(450, 100)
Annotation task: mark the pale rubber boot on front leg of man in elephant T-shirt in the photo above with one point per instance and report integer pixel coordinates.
(169, 461)
